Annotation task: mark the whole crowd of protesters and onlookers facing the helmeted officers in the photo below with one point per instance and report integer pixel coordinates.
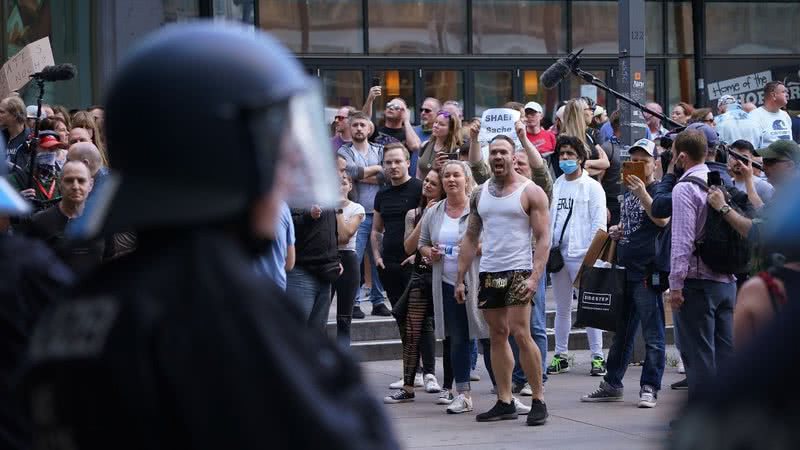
(462, 236)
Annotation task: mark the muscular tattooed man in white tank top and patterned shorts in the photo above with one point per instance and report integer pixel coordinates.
(509, 209)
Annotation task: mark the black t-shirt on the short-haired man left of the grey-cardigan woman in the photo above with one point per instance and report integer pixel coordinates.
(393, 202)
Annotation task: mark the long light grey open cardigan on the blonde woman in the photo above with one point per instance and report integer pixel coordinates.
(429, 233)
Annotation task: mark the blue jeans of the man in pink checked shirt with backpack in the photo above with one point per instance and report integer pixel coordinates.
(706, 330)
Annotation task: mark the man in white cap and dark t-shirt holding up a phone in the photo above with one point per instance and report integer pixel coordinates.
(636, 235)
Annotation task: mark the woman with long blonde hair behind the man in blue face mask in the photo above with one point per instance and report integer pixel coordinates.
(578, 115)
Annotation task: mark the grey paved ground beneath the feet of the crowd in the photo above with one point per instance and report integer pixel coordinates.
(423, 424)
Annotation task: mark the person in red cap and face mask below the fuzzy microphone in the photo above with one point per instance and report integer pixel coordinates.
(40, 186)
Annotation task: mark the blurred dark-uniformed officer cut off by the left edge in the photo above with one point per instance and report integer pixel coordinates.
(31, 278)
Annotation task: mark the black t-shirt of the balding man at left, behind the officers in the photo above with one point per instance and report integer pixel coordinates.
(81, 257)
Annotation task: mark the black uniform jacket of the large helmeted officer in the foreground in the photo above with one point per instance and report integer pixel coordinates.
(176, 344)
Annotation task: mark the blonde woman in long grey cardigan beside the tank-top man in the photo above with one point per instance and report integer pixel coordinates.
(442, 230)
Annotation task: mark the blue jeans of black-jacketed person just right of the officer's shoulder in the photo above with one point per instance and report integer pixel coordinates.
(312, 295)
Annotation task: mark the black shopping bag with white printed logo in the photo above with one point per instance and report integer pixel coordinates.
(601, 298)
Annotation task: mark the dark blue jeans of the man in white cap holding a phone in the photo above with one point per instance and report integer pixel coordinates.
(642, 305)
